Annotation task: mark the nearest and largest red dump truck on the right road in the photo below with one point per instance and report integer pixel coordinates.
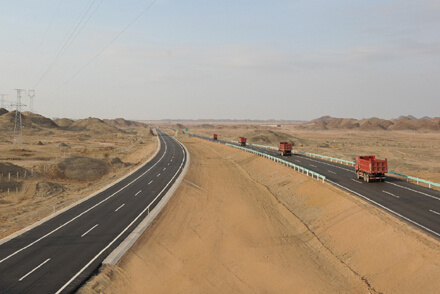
(371, 168)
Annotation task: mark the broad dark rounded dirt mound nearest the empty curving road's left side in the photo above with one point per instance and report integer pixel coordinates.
(79, 169)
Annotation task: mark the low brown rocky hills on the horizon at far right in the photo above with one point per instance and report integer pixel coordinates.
(373, 124)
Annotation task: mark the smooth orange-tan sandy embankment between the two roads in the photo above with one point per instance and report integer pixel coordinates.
(240, 223)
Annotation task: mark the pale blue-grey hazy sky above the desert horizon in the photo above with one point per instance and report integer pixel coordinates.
(259, 59)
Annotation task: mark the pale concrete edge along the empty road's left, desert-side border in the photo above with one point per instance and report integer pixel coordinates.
(49, 217)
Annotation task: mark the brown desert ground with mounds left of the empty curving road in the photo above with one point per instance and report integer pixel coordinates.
(61, 162)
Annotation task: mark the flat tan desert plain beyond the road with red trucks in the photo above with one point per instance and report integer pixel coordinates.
(413, 153)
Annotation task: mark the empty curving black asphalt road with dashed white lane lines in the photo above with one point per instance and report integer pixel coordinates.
(60, 254)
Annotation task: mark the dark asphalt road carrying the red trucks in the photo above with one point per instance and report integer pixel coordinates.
(417, 205)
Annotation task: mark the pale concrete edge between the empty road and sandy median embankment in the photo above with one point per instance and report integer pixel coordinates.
(117, 254)
